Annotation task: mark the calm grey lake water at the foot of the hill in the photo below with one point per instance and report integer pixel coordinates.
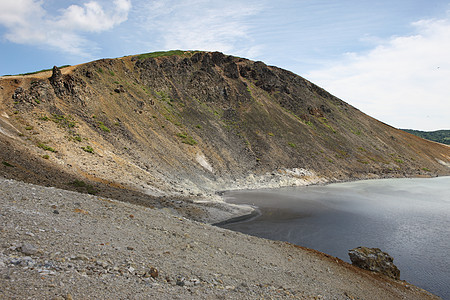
(408, 218)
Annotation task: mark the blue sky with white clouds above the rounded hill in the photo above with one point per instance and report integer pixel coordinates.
(390, 59)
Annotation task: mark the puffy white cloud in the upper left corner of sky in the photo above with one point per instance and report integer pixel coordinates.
(27, 22)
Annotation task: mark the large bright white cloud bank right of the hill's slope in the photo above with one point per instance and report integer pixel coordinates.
(403, 82)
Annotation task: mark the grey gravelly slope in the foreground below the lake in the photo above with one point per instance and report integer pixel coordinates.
(57, 244)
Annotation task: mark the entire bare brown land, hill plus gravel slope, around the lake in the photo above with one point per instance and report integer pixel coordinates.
(165, 133)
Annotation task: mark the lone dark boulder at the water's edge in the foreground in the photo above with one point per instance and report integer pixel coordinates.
(375, 260)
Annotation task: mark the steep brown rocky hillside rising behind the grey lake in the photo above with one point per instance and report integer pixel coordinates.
(186, 125)
